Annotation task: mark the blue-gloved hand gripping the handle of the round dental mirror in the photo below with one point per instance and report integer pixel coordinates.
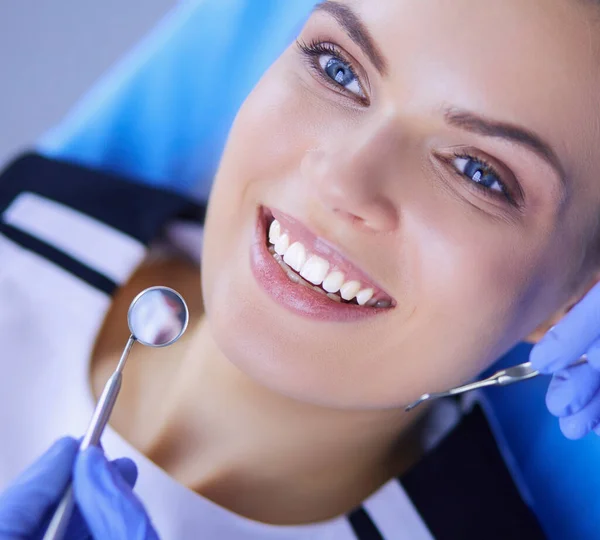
(102, 492)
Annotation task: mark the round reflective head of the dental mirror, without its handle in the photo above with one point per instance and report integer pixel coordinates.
(158, 317)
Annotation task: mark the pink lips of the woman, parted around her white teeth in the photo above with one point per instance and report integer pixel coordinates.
(298, 298)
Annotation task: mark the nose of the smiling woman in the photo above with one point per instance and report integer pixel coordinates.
(351, 177)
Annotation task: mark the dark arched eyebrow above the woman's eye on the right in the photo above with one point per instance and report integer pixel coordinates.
(490, 128)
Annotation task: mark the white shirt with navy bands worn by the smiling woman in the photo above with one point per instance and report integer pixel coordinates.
(67, 240)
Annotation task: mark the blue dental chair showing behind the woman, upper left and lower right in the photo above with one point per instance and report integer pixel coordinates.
(161, 116)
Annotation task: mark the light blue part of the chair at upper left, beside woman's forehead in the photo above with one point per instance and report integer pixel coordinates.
(162, 115)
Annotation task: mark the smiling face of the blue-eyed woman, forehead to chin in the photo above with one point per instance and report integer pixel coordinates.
(443, 154)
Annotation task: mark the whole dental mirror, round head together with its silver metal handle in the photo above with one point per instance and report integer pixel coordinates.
(157, 317)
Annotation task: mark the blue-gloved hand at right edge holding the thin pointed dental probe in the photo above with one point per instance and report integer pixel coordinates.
(574, 392)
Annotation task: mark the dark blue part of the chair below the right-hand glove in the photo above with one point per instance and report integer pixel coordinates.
(556, 475)
